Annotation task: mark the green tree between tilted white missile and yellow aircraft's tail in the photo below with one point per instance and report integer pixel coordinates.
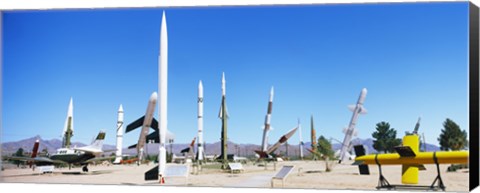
(385, 138)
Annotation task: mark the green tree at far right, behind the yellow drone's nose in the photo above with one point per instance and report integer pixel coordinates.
(452, 137)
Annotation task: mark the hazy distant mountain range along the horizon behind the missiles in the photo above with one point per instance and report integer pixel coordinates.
(246, 150)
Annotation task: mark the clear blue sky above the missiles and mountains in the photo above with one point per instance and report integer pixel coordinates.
(412, 58)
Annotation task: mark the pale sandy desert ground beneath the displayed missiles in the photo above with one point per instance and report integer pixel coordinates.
(305, 175)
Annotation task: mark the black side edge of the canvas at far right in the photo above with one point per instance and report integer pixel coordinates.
(474, 98)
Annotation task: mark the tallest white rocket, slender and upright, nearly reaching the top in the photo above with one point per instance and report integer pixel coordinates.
(162, 105)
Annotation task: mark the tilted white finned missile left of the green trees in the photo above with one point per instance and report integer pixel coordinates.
(350, 131)
